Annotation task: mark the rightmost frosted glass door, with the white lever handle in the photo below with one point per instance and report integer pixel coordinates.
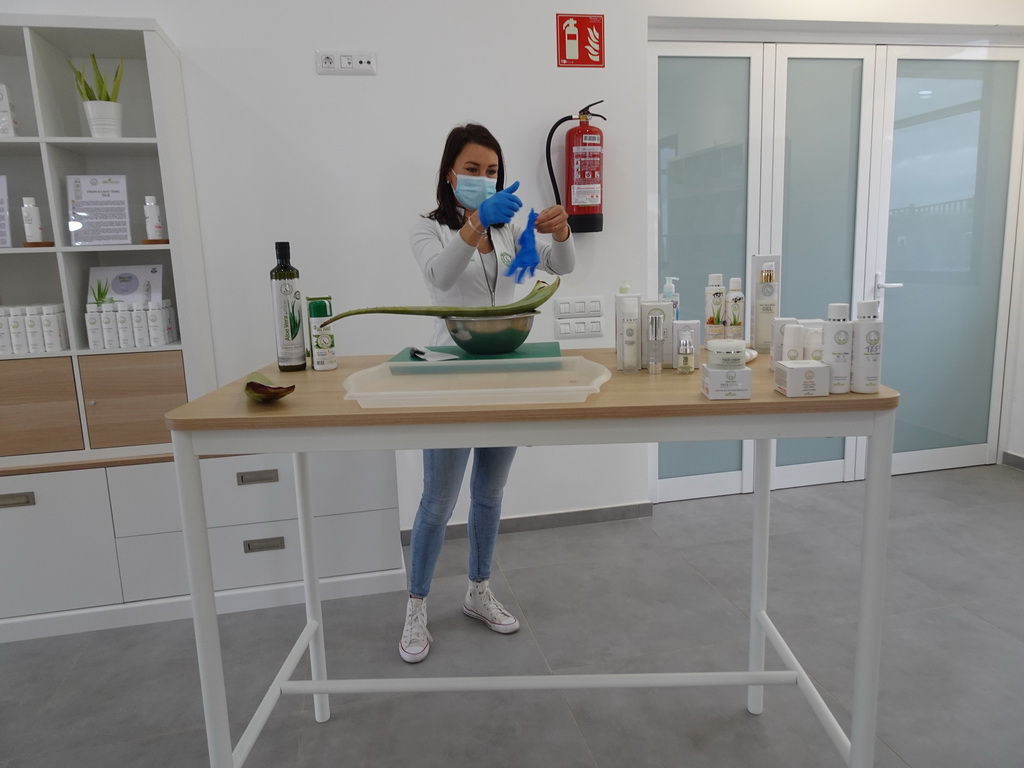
(955, 169)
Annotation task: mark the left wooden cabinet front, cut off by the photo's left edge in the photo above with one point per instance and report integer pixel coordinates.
(39, 408)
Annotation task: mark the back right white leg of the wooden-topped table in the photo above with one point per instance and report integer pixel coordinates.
(759, 569)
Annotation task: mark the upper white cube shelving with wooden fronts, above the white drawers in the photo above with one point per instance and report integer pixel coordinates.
(155, 156)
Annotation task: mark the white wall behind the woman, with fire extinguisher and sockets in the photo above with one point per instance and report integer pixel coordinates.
(343, 166)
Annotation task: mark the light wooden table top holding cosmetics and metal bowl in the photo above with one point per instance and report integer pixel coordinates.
(319, 401)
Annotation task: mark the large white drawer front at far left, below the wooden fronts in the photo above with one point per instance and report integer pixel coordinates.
(57, 545)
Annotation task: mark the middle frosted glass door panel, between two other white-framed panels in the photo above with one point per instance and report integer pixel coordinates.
(821, 170)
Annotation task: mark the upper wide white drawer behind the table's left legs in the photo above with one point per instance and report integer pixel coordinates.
(154, 566)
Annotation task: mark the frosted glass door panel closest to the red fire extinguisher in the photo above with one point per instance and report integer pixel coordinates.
(706, 129)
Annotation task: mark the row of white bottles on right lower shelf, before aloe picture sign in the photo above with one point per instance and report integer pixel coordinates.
(123, 326)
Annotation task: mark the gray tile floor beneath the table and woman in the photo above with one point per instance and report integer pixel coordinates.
(662, 593)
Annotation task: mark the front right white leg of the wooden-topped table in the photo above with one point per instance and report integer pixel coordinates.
(873, 584)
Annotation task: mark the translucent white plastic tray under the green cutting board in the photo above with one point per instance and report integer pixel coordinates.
(570, 379)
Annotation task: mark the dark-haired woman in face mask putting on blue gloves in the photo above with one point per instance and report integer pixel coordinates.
(465, 247)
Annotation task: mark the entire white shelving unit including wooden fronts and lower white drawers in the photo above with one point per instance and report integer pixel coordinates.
(91, 533)
